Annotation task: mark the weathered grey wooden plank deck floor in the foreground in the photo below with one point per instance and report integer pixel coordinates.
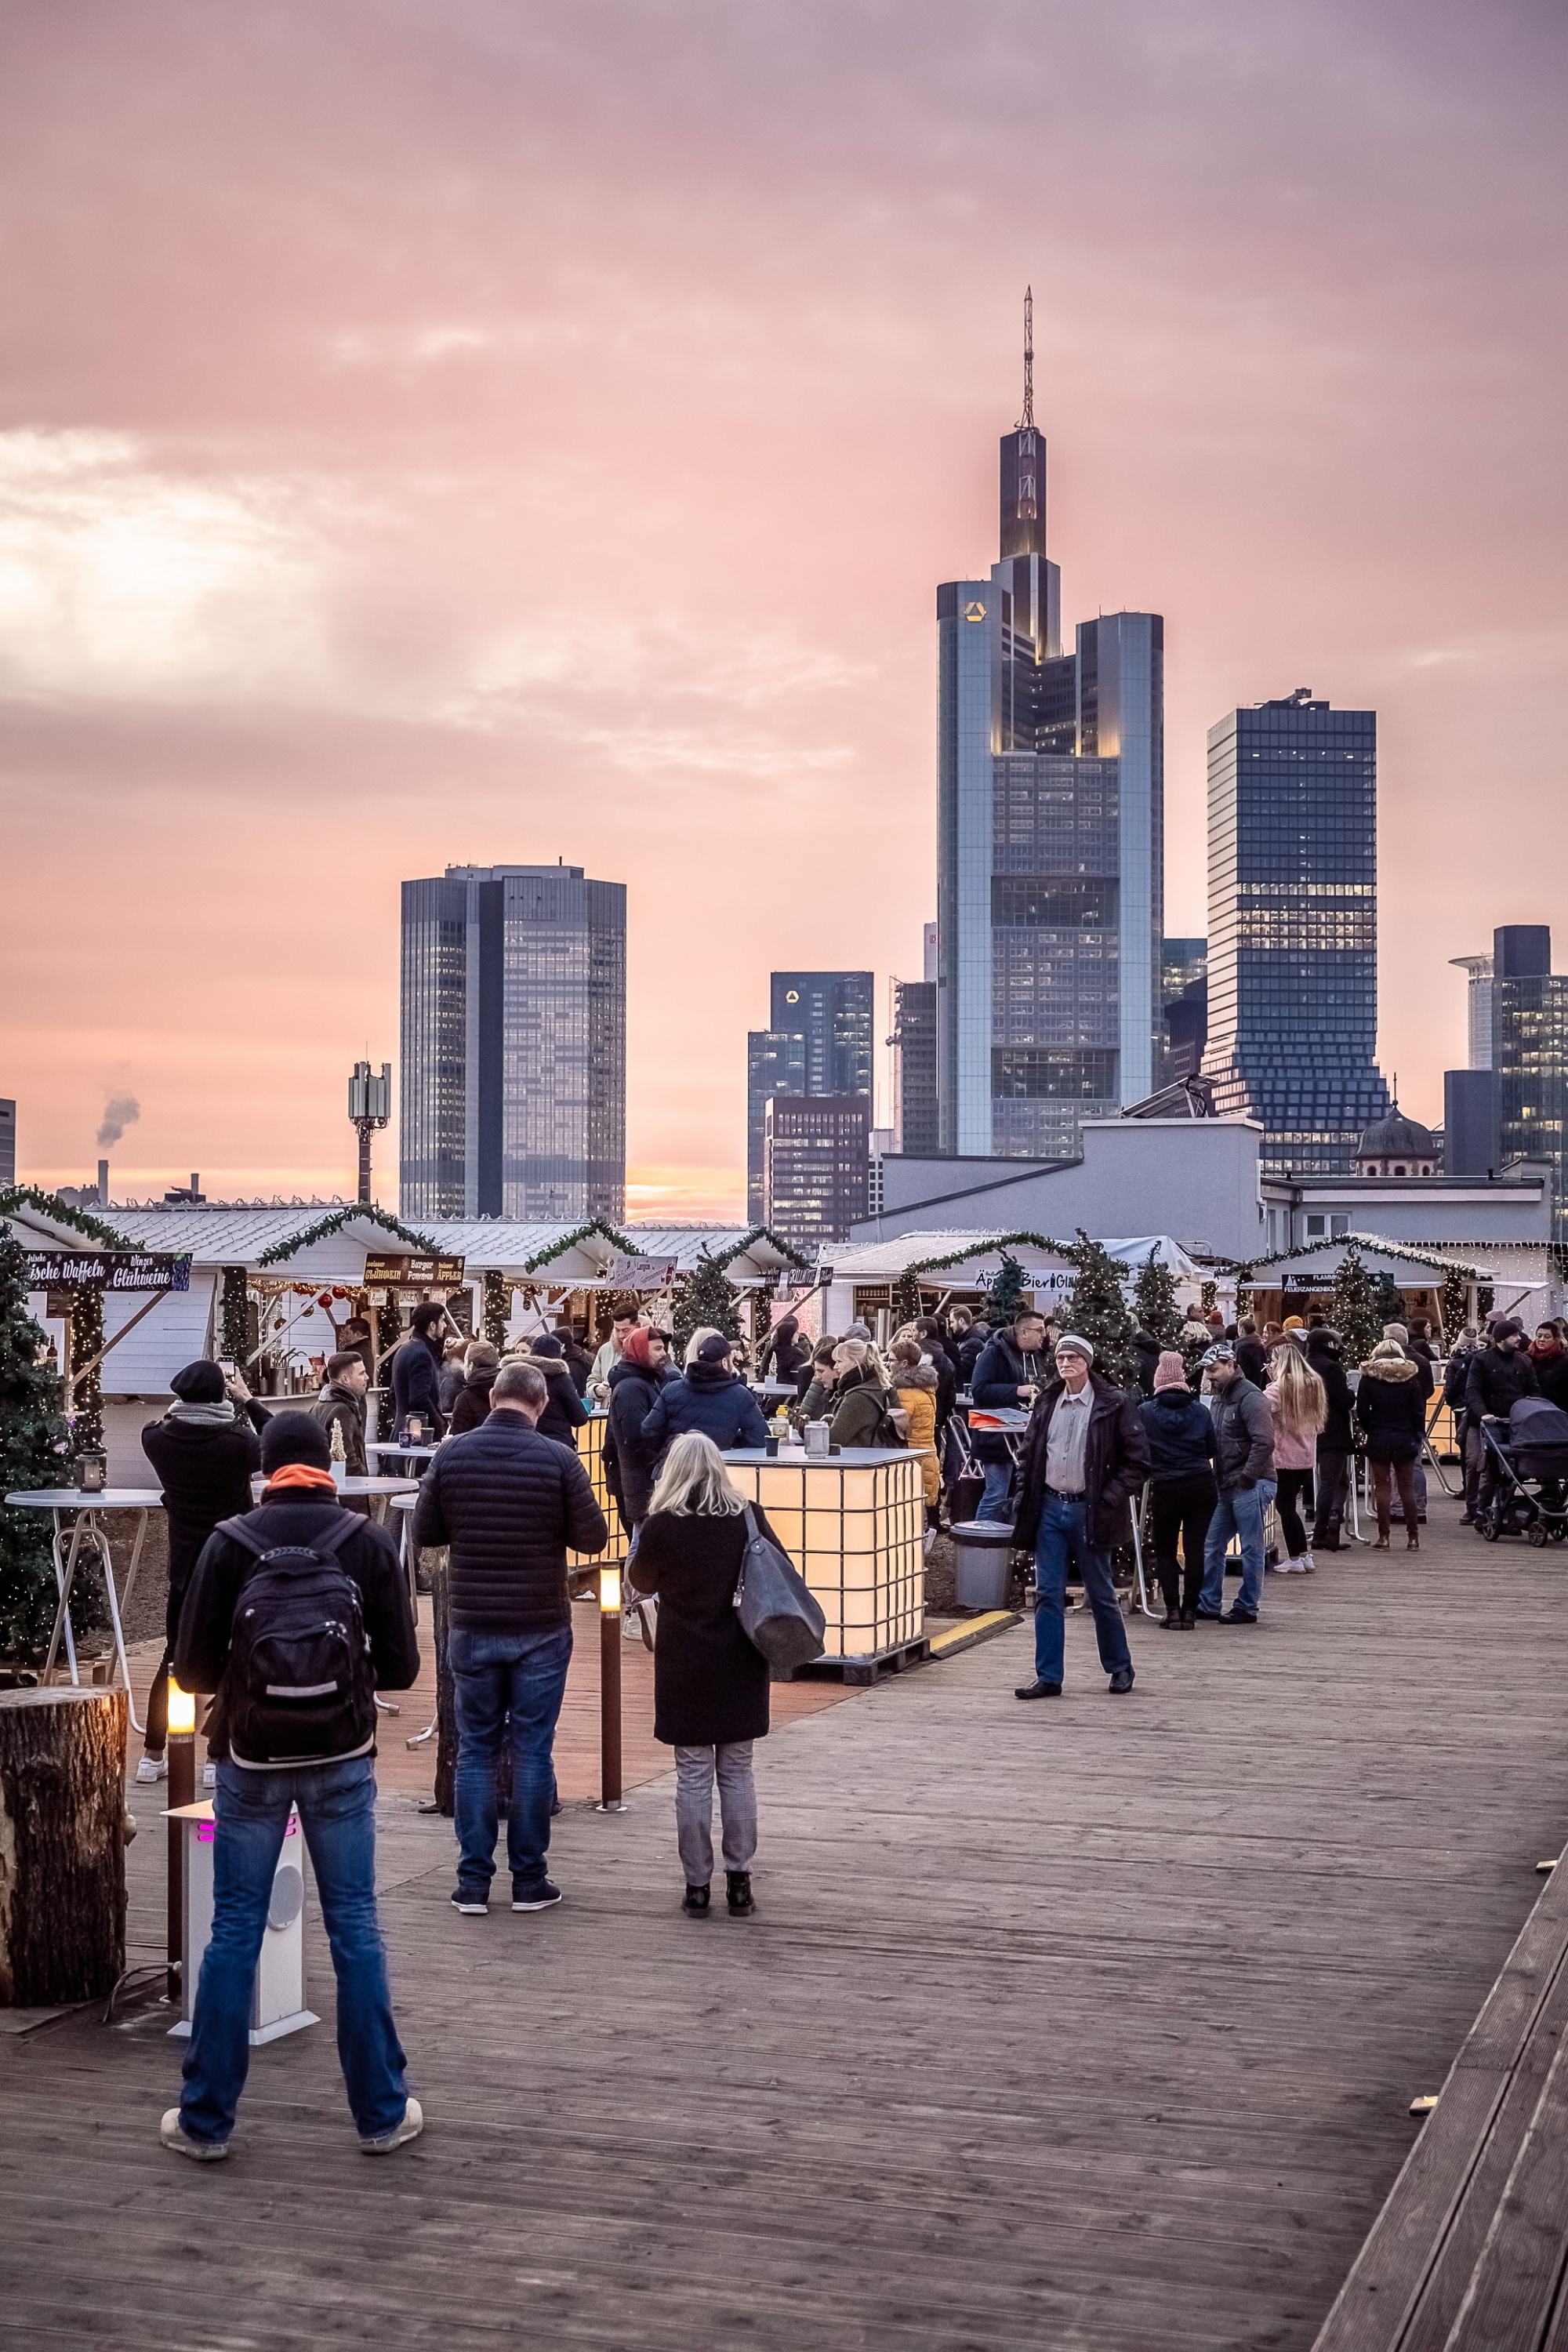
(1087, 2024)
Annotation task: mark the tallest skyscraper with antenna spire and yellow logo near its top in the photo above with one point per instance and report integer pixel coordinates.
(1050, 843)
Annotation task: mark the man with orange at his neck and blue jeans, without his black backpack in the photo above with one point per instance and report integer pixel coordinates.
(335, 1798)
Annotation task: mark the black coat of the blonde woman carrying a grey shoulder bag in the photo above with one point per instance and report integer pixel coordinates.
(709, 1681)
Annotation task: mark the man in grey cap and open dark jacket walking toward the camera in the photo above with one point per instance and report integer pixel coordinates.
(1085, 1455)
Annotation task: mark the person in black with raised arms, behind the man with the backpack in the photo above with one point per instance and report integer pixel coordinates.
(203, 1450)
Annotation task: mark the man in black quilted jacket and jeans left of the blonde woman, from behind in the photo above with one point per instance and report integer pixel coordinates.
(509, 1504)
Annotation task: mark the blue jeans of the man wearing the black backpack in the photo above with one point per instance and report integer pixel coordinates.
(337, 1808)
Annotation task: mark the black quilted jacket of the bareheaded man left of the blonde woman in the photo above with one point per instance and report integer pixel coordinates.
(509, 1504)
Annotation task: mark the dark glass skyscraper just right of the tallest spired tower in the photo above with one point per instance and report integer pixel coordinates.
(1294, 928)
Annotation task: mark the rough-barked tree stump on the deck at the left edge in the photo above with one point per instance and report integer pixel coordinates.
(62, 1845)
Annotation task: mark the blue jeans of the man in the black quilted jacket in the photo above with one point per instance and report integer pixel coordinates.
(497, 1676)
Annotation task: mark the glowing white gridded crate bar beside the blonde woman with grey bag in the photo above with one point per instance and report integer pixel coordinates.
(855, 1528)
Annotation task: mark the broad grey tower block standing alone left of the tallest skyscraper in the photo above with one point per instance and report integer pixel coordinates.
(514, 1045)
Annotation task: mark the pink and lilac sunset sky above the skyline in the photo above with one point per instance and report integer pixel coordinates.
(514, 434)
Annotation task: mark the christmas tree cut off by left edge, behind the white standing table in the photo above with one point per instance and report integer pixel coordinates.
(29, 1457)
